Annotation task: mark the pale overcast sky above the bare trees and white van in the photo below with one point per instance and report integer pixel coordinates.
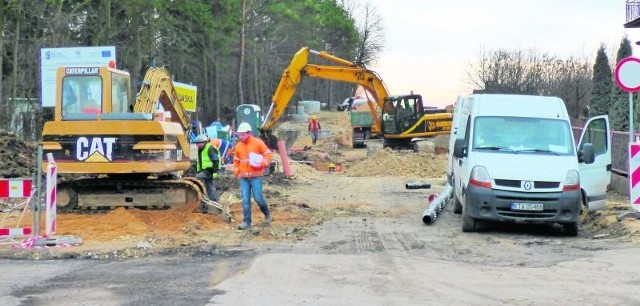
(431, 43)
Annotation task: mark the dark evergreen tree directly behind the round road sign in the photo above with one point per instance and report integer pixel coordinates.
(620, 99)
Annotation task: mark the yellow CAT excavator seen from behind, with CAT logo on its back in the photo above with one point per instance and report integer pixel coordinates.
(111, 154)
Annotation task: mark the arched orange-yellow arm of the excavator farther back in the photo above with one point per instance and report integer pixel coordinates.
(345, 71)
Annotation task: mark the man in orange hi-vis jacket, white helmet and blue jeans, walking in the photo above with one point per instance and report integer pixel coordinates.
(251, 157)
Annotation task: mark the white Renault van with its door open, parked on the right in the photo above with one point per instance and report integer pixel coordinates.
(513, 159)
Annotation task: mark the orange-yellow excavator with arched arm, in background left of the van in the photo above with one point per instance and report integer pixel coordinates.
(398, 119)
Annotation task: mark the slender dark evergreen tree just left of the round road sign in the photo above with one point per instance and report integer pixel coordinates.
(602, 83)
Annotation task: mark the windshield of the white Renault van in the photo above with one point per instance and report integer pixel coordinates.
(523, 135)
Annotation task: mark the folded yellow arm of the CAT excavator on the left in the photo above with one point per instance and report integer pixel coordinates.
(157, 87)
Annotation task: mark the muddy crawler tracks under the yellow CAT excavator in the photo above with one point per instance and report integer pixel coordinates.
(102, 194)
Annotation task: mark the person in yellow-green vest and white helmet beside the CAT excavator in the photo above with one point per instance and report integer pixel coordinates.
(207, 165)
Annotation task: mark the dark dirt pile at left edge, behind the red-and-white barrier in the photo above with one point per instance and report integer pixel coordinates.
(17, 156)
